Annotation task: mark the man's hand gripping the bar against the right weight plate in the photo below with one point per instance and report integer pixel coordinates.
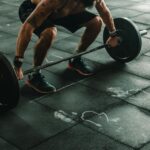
(113, 41)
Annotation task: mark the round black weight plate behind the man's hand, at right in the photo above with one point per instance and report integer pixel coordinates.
(131, 41)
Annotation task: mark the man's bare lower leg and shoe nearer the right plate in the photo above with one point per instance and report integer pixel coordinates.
(93, 28)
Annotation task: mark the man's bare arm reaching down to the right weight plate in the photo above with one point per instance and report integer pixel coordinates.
(105, 15)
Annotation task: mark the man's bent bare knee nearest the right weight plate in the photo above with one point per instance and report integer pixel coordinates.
(95, 24)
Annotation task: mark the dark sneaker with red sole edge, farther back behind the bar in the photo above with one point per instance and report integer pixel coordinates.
(80, 66)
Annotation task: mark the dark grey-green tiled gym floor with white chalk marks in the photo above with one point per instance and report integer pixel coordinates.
(107, 111)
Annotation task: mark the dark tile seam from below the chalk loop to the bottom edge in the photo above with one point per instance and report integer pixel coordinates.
(110, 137)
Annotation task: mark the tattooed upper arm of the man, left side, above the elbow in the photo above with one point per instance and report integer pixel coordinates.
(39, 14)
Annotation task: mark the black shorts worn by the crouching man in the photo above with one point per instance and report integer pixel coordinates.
(71, 22)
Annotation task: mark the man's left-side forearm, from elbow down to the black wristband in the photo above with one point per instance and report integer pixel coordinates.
(23, 39)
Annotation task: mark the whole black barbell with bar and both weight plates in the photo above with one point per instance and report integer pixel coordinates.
(126, 51)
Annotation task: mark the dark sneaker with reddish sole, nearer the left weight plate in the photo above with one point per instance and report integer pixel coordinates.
(38, 83)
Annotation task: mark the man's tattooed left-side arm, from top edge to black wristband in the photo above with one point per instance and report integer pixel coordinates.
(44, 8)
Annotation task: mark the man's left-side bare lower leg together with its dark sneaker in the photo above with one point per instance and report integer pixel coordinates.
(36, 79)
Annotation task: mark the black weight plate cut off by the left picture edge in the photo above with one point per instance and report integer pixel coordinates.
(9, 86)
